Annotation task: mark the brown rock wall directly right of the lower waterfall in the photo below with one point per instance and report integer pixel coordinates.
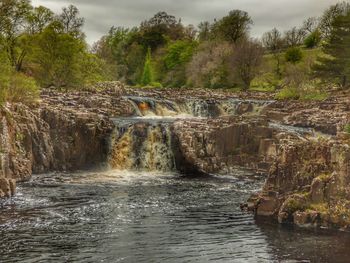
(216, 145)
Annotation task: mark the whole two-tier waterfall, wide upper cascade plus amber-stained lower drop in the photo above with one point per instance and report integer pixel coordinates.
(144, 142)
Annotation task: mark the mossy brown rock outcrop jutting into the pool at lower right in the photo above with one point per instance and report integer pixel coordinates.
(308, 184)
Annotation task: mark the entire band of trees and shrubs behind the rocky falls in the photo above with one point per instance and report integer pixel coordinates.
(39, 48)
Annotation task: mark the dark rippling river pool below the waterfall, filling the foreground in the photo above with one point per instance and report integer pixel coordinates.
(143, 217)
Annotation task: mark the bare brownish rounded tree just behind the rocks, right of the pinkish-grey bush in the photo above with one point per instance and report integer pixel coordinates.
(247, 58)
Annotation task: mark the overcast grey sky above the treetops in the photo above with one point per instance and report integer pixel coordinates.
(100, 15)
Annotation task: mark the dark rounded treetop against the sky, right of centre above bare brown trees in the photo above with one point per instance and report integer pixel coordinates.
(234, 26)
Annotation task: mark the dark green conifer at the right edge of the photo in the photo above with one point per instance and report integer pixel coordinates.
(335, 66)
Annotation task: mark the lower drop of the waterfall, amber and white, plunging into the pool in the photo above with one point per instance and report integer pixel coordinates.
(141, 145)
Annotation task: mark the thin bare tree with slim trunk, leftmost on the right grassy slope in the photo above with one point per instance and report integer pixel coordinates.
(273, 42)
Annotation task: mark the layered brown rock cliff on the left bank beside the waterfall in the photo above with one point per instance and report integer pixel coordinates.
(64, 132)
